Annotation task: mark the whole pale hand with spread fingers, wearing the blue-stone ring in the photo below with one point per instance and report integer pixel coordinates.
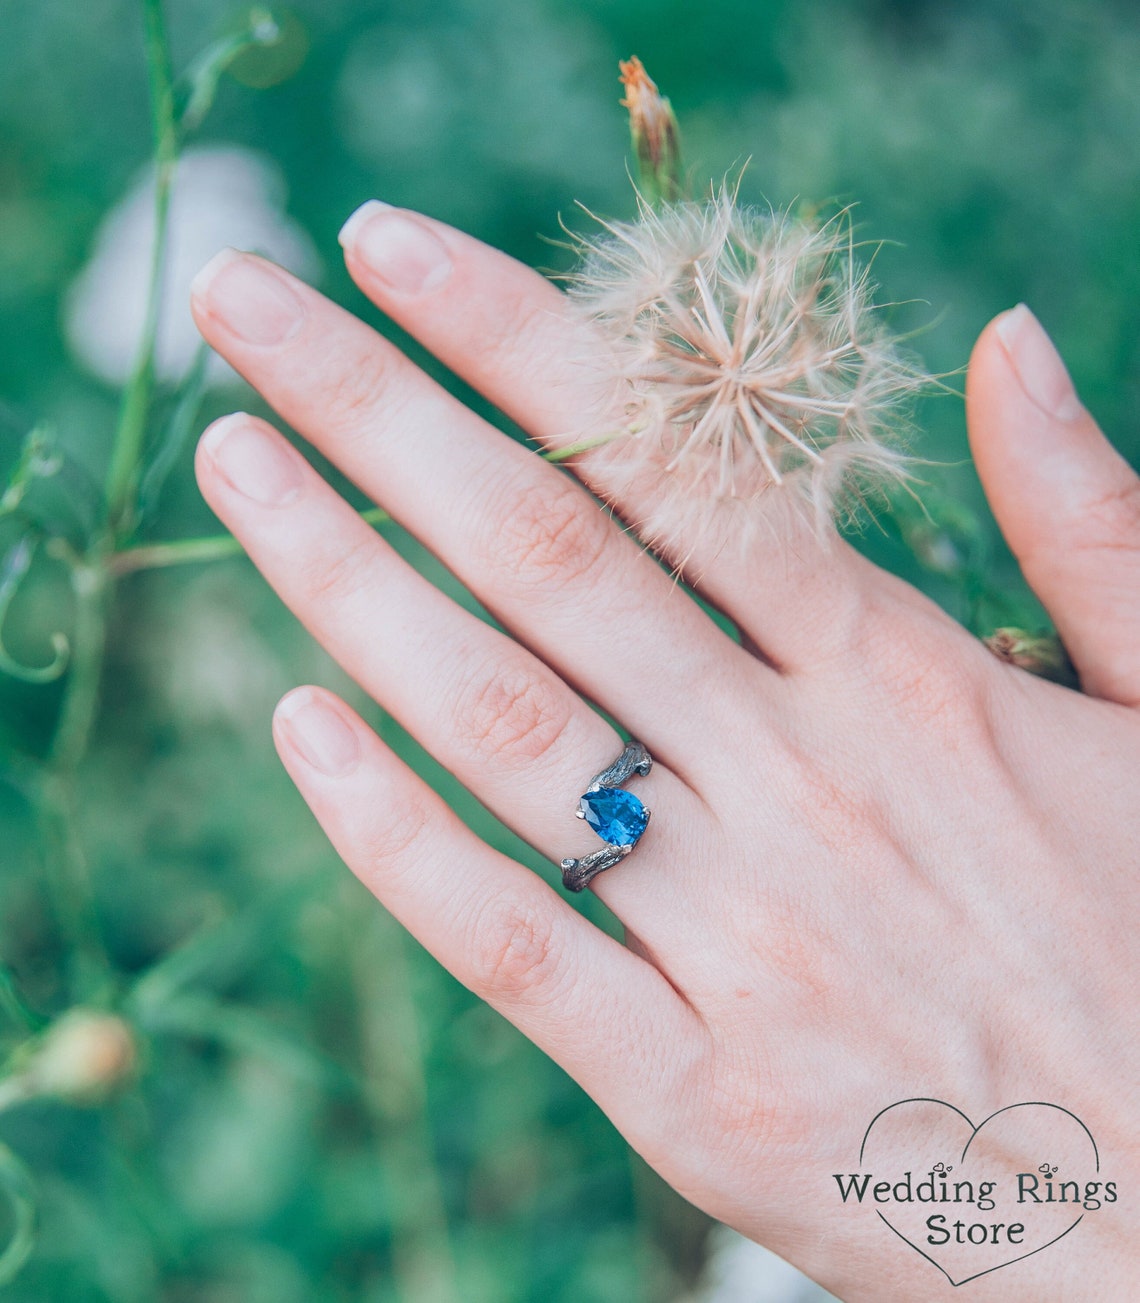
(881, 865)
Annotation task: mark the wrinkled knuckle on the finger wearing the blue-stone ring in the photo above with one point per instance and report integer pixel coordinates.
(511, 712)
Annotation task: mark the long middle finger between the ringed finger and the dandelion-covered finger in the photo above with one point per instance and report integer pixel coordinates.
(536, 551)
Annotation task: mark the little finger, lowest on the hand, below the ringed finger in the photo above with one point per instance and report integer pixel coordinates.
(604, 1014)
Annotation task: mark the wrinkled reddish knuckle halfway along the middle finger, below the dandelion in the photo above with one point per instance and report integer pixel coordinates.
(549, 537)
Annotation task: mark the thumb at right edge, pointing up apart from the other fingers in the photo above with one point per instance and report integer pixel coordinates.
(1066, 501)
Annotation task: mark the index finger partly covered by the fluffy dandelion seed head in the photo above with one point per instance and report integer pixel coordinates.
(509, 333)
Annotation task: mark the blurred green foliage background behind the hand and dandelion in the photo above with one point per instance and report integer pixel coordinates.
(316, 1110)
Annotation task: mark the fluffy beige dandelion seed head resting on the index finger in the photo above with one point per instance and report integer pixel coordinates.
(751, 362)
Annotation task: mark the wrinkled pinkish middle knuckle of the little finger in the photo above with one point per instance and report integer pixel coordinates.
(515, 951)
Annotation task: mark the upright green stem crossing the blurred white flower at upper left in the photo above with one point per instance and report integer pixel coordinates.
(131, 432)
